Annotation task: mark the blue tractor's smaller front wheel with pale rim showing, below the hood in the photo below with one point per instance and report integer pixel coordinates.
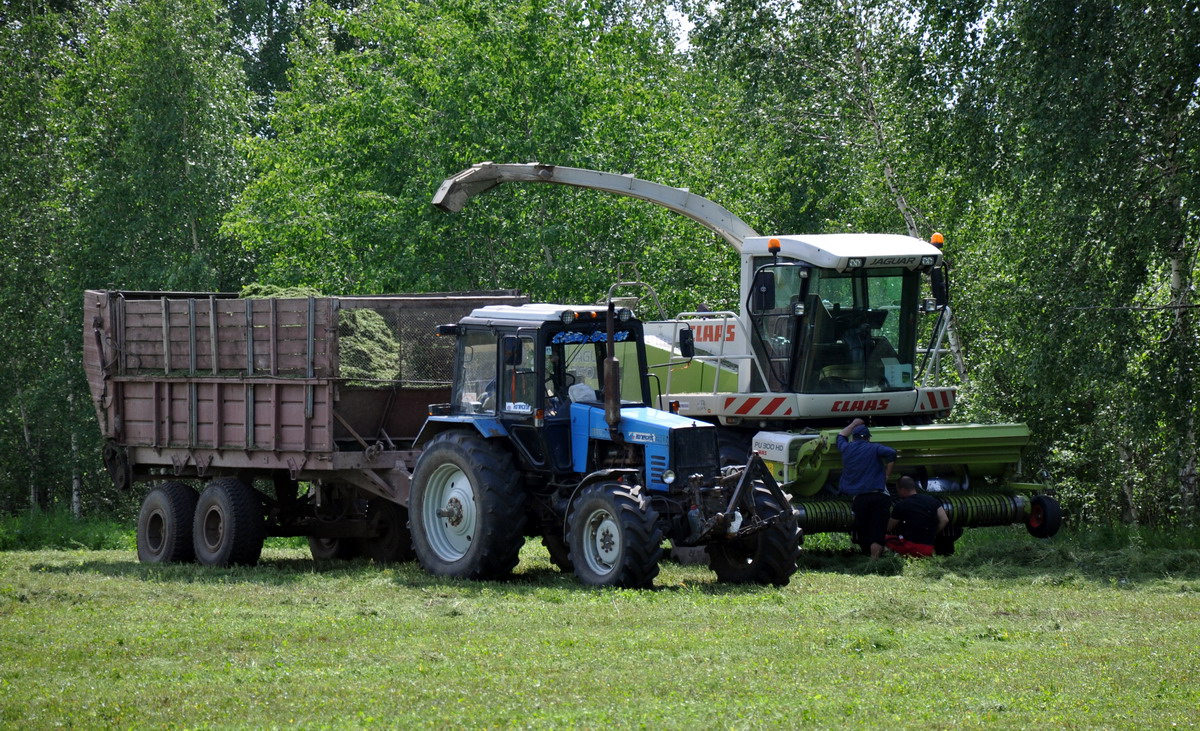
(614, 537)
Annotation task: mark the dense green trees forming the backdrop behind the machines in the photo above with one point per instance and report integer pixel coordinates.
(201, 145)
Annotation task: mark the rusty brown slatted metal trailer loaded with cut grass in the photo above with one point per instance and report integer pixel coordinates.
(325, 391)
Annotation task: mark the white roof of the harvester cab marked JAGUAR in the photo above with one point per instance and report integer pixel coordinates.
(835, 251)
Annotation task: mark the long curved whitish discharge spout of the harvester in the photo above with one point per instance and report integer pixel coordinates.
(457, 190)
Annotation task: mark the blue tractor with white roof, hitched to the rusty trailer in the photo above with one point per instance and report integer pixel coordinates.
(549, 434)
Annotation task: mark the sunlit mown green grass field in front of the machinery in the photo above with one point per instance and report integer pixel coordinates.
(1081, 632)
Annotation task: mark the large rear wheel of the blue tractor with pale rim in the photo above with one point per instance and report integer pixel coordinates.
(467, 508)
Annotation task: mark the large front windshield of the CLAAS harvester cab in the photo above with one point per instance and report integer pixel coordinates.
(860, 332)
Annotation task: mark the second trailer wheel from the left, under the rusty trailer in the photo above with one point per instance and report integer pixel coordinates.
(230, 528)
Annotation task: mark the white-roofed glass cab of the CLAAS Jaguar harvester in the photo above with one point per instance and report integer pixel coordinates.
(836, 314)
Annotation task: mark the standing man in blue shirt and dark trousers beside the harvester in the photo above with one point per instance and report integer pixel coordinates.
(866, 470)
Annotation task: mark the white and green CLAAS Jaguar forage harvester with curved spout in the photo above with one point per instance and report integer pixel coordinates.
(827, 332)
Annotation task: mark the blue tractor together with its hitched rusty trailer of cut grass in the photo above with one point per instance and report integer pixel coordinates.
(369, 428)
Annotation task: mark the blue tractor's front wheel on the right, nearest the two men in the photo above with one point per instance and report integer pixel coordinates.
(766, 558)
